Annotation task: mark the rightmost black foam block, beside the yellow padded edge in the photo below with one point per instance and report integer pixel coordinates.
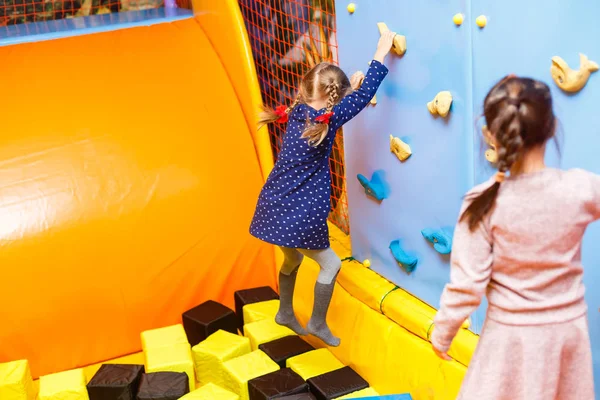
(336, 383)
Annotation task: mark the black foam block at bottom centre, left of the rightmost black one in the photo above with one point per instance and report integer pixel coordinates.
(284, 382)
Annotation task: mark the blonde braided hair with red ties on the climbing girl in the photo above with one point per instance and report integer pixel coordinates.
(323, 80)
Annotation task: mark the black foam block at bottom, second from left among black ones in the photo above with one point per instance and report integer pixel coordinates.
(163, 386)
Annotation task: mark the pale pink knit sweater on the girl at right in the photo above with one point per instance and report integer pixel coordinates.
(525, 256)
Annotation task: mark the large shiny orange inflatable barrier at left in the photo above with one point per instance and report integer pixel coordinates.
(128, 179)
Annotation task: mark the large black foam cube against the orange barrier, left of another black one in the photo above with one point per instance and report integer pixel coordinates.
(207, 318)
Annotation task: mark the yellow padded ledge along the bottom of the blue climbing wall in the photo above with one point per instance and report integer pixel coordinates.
(392, 354)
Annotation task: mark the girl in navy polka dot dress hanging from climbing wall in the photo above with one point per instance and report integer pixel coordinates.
(294, 203)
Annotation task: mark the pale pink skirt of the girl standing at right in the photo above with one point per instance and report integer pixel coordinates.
(544, 362)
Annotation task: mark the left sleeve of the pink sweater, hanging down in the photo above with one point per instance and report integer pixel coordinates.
(470, 272)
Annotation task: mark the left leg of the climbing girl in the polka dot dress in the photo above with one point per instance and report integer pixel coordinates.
(287, 282)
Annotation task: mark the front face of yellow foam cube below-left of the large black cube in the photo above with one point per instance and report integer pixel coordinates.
(174, 358)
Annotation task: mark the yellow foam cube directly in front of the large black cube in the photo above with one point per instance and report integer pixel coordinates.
(210, 355)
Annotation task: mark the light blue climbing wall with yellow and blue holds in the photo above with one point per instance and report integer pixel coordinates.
(426, 191)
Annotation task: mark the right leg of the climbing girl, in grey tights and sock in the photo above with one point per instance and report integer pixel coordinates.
(330, 265)
